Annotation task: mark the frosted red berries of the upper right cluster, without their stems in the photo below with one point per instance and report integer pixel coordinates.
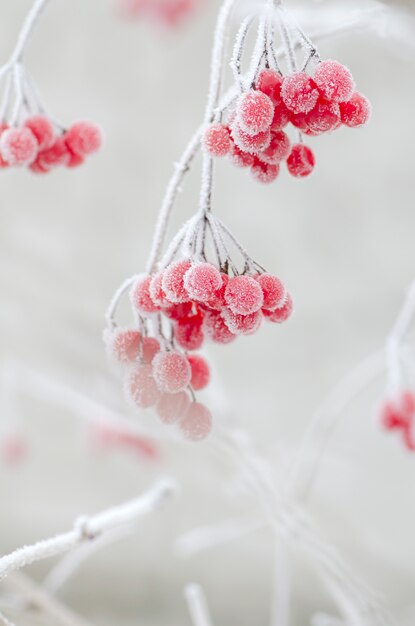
(254, 134)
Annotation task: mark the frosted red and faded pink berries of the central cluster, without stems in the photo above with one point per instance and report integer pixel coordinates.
(197, 302)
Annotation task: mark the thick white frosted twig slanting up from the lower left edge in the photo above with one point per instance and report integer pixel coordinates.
(88, 528)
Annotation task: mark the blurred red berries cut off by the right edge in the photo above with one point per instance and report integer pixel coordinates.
(399, 415)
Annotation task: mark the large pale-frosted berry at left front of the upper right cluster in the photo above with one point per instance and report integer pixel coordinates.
(255, 112)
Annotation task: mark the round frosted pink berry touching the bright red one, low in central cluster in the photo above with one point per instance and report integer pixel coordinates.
(172, 371)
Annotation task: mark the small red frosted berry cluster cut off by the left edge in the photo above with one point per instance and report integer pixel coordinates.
(38, 145)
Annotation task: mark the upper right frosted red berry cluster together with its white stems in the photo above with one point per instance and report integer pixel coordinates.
(255, 133)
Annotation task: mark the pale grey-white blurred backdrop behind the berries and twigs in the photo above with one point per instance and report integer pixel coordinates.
(343, 241)
